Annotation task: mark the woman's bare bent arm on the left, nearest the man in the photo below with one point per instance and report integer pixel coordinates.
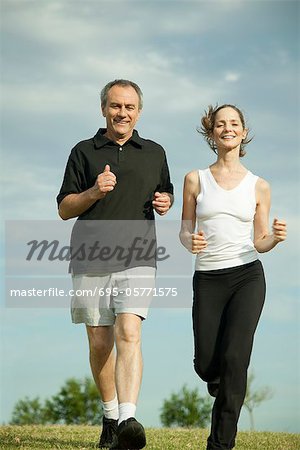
(194, 242)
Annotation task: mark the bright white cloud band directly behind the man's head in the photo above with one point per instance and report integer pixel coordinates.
(161, 76)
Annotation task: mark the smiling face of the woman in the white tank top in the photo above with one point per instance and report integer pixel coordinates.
(228, 131)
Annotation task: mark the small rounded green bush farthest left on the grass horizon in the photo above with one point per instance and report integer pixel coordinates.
(28, 412)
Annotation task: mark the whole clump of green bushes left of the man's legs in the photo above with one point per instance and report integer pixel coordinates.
(77, 402)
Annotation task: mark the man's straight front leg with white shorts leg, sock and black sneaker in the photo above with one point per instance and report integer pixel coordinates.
(130, 311)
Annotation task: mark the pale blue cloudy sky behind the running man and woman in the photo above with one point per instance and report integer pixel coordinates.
(55, 58)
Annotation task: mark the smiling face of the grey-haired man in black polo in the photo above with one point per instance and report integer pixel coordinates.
(121, 112)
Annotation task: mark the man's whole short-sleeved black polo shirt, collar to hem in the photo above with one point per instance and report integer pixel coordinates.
(116, 232)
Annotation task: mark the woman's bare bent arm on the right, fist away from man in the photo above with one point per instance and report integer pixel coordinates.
(263, 240)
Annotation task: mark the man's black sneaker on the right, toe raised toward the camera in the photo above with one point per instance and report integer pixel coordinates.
(130, 435)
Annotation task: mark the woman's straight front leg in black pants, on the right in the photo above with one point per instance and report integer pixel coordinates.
(240, 321)
